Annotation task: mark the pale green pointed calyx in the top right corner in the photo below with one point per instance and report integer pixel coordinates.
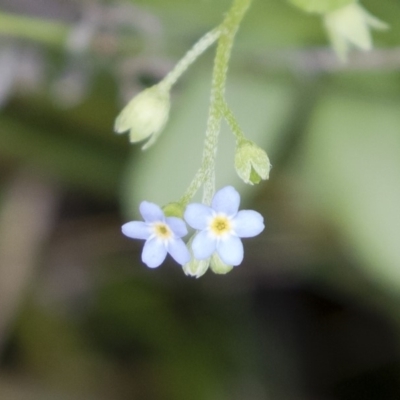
(350, 26)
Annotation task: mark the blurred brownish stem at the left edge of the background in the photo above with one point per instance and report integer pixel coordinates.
(28, 208)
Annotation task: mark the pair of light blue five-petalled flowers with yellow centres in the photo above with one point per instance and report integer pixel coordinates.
(220, 227)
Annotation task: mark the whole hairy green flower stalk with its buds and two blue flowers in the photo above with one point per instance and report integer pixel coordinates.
(219, 224)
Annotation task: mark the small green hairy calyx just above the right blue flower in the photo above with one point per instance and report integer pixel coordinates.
(251, 162)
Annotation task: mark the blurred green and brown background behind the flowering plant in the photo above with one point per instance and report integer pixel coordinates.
(313, 311)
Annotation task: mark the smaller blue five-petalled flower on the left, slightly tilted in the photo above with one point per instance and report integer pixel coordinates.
(162, 235)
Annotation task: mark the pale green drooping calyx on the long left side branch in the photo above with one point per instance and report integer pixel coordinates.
(145, 115)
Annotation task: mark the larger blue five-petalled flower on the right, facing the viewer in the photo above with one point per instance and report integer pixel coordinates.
(221, 226)
